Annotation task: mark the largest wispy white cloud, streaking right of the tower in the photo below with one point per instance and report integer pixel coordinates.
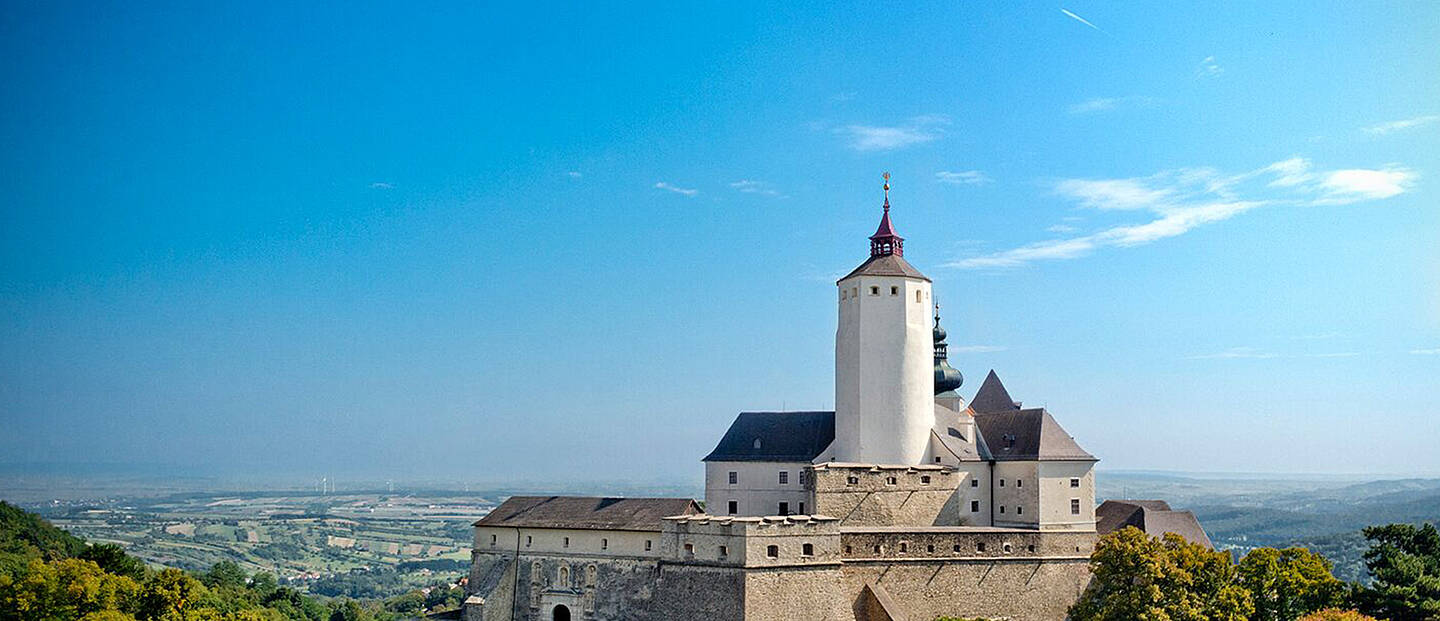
(1180, 201)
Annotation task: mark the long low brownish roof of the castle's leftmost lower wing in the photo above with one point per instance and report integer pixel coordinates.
(587, 512)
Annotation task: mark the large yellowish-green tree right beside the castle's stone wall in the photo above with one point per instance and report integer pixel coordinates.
(1137, 577)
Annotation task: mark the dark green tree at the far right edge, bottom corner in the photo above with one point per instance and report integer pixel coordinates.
(1405, 566)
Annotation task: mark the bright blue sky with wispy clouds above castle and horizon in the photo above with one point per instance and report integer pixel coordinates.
(561, 243)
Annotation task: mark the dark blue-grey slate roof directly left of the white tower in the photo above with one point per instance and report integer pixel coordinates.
(783, 437)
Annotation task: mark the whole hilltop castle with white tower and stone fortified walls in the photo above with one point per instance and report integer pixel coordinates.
(904, 504)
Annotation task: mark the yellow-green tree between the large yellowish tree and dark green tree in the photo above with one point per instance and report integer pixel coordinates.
(1288, 584)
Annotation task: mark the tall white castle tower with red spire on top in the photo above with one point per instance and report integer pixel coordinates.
(885, 357)
